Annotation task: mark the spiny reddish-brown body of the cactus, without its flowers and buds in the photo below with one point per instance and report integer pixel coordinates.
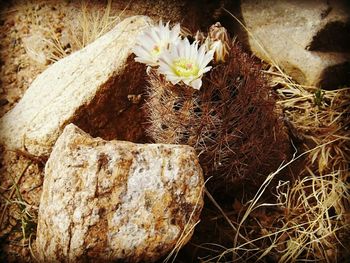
(231, 121)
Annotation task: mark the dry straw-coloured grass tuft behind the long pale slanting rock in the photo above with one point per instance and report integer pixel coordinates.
(89, 26)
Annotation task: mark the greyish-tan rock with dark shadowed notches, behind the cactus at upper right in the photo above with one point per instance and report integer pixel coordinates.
(293, 33)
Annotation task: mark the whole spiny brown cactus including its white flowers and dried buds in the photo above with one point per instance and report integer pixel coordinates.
(225, 109)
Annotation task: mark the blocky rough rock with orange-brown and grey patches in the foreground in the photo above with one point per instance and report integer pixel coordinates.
(104, 201)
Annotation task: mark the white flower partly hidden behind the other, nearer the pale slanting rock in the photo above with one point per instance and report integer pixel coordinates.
(153, 42)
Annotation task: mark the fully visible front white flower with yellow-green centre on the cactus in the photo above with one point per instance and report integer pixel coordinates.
(185, 62)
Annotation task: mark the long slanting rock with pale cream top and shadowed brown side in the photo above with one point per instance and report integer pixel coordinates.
(89, 88)
